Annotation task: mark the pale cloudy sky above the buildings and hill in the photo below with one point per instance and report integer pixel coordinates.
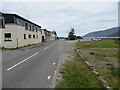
(84, 17)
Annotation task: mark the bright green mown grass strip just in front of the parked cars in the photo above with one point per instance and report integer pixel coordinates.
(98, 44)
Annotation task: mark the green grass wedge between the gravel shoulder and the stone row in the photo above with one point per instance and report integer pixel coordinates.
(76, 75)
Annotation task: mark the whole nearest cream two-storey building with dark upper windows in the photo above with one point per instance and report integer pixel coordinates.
(16, 31)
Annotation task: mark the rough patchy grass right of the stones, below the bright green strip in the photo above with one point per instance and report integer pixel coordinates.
(104, 61)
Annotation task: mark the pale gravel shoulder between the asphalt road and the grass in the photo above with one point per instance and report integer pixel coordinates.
(66, 53)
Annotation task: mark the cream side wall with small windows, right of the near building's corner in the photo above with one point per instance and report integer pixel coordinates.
(22, 42)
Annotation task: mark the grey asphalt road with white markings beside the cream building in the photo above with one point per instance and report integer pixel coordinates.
(31, 67)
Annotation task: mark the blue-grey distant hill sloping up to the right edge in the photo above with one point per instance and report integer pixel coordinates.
(112, 32)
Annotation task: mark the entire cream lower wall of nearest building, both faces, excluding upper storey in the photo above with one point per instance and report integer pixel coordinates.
(17, 33)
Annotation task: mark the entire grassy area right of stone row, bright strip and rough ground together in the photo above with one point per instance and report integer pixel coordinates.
(104, 56)
